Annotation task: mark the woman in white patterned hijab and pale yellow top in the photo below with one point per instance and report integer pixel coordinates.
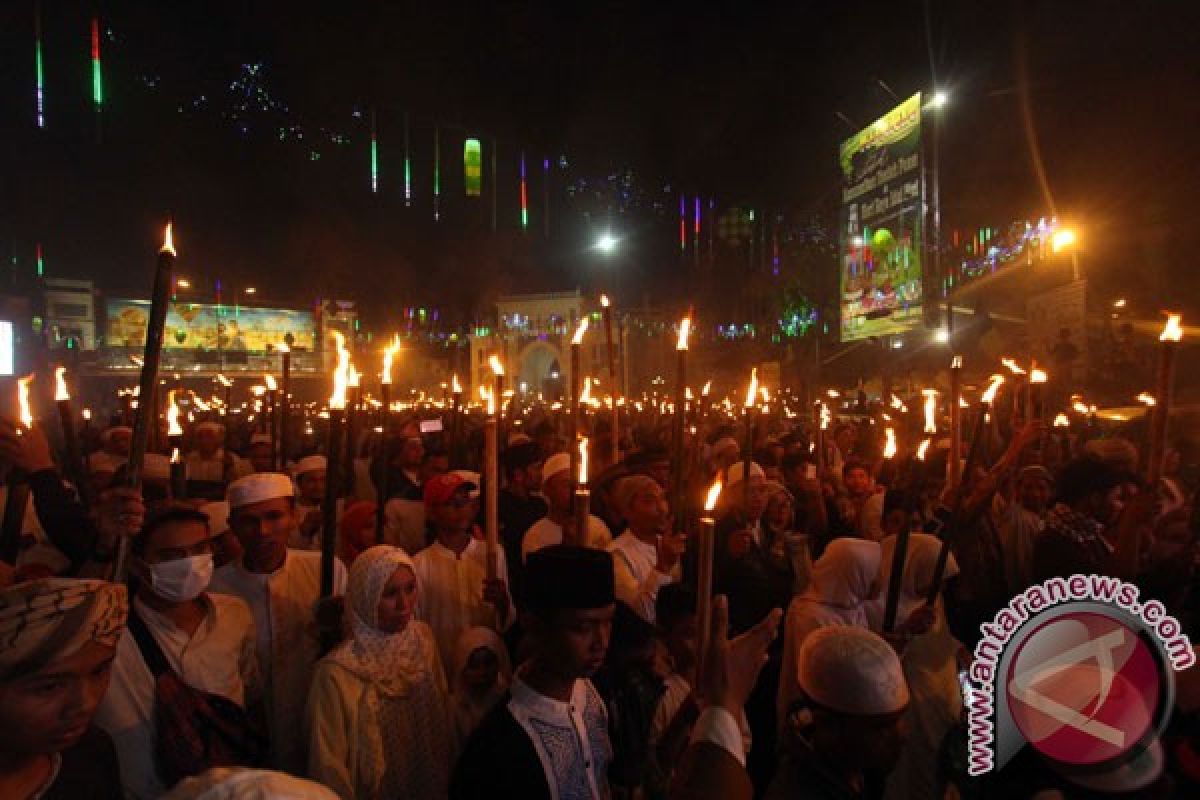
(377, 709)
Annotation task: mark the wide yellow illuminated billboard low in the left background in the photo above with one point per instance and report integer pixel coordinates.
(206, 327)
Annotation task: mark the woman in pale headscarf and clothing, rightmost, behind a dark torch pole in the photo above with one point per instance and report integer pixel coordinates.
(929, 655)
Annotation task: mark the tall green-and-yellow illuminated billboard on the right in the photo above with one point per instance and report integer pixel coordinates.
(881, 226)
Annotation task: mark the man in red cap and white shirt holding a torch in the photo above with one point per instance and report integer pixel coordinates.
(452, 574)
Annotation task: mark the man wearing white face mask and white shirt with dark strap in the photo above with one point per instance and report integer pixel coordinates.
(208, 641)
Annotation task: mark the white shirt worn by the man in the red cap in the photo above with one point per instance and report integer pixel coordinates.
(452, 593)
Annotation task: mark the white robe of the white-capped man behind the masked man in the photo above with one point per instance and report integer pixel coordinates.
(289, 642)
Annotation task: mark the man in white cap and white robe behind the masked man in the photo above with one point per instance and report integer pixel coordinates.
(281, 588)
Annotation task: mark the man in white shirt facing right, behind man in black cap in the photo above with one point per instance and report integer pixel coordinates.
(647, 556)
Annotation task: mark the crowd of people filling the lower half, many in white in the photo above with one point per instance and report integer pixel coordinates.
(236, 660)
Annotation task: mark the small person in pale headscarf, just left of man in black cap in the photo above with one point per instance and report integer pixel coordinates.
(482, 675)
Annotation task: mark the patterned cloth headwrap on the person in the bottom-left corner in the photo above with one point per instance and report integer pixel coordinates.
(53, 618)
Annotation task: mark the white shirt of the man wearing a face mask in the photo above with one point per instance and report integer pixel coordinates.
(218, 658)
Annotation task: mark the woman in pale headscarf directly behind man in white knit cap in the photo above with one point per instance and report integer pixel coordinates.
(844, 581)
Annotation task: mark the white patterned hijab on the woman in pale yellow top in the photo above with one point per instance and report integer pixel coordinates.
(392, 661)
